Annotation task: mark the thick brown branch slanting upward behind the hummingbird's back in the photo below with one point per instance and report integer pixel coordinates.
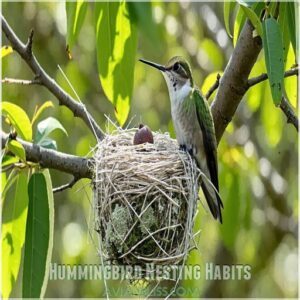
(233, 83)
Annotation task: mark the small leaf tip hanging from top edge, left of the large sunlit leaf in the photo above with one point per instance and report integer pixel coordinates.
(76, 12)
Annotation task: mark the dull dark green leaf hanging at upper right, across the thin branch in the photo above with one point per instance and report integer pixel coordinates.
(273, 47)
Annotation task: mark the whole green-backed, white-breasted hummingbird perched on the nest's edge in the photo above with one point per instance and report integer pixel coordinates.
(194, 127)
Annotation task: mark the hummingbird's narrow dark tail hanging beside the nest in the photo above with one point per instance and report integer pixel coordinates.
(212, 198)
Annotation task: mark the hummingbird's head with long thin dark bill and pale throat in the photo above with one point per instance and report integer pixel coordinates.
(177, 73)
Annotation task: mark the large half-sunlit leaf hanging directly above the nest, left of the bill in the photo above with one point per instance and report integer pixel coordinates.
(116, 49)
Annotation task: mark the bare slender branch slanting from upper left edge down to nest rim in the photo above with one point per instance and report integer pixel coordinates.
(25, 51)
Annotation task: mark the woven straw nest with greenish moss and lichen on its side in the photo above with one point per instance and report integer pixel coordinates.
(145, 200)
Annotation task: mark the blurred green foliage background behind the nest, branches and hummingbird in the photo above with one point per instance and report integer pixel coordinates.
(257, 154)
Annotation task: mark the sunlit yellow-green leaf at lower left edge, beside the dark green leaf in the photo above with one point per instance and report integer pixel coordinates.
(13, 232)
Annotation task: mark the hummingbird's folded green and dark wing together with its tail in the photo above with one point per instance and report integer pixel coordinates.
(210, 146)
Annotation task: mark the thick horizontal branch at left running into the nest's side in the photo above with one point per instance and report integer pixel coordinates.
(77, 166)
